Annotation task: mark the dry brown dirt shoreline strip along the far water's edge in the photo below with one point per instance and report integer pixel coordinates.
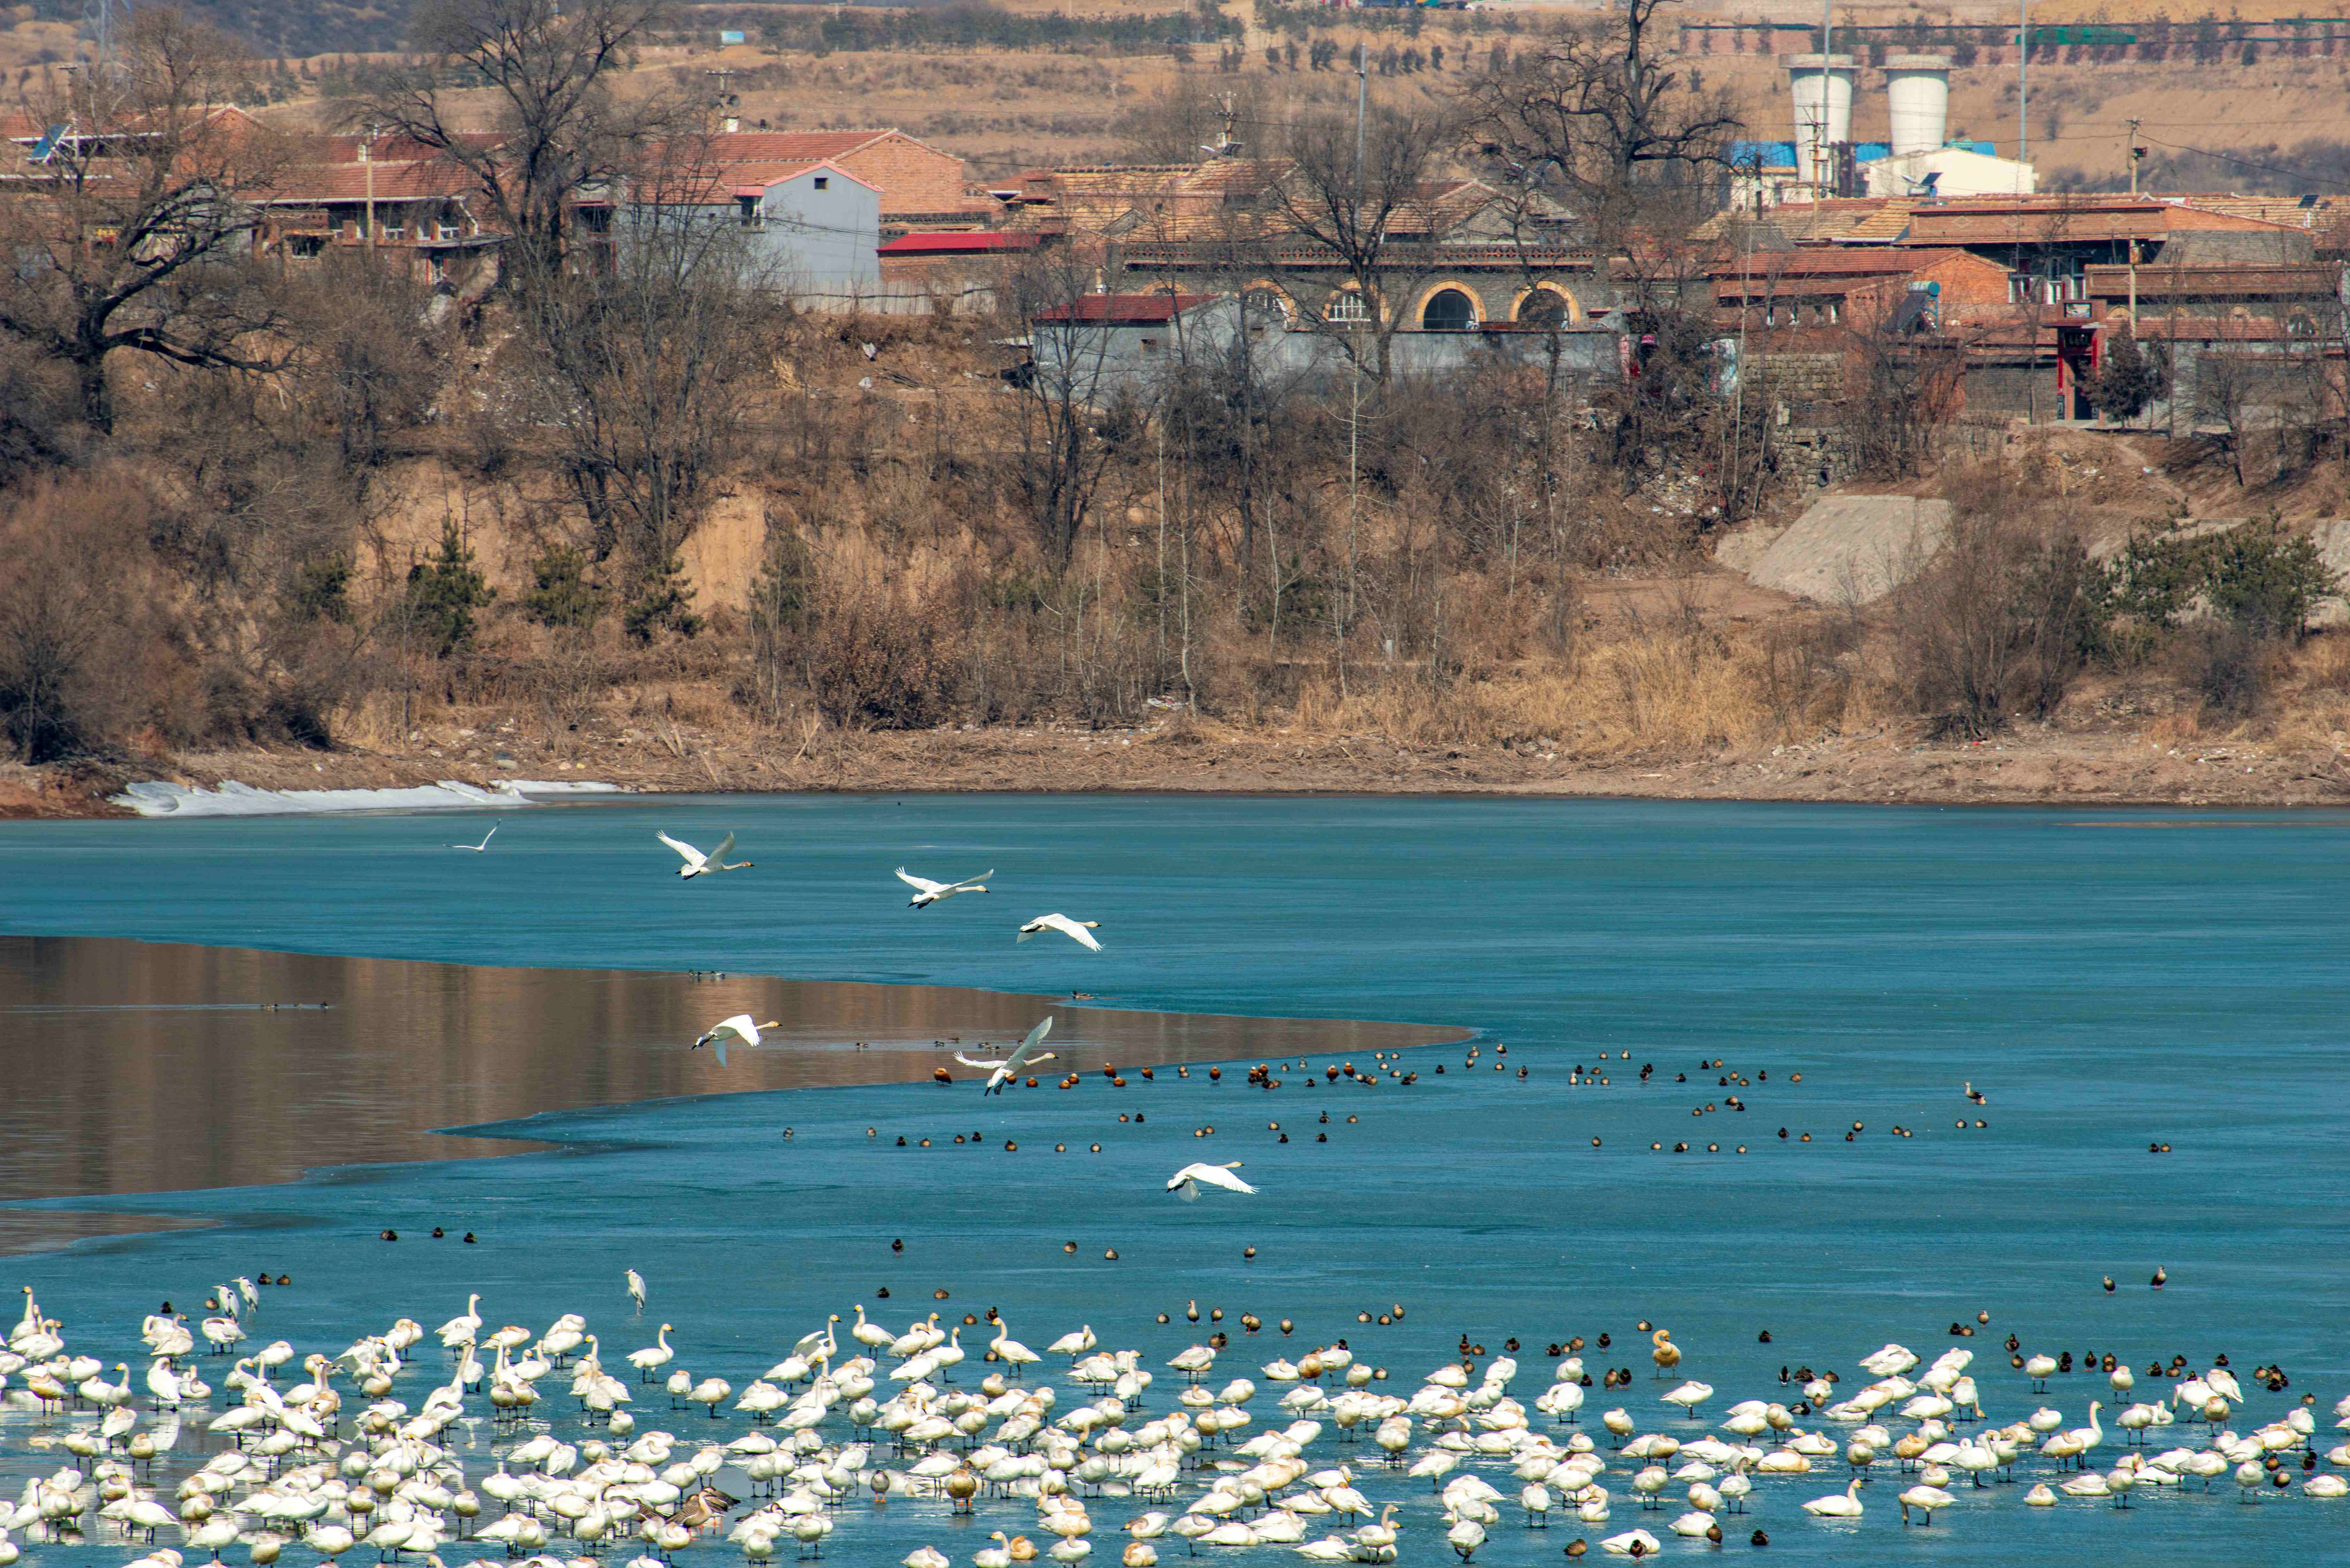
(2022, 768)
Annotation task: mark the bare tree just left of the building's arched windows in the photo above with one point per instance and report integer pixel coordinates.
(1362, 206)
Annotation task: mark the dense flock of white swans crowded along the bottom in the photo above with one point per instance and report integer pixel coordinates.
(377, 1449)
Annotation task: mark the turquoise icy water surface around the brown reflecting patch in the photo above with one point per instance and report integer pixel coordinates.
(2107, 979)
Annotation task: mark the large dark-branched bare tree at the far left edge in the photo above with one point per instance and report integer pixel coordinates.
(133, 227)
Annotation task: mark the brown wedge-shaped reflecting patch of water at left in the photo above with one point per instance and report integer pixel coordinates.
(159, 1066)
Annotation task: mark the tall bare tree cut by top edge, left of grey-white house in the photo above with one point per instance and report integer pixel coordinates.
(558, 126)
